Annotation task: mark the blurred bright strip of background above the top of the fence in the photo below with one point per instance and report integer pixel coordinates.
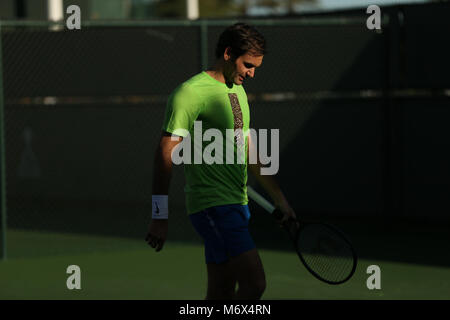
(160, 9)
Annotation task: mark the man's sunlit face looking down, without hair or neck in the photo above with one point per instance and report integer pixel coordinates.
(241, 68)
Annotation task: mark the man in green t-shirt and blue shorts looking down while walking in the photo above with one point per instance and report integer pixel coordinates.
(216, 194)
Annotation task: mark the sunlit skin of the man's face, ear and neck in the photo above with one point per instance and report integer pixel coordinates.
(235, 71)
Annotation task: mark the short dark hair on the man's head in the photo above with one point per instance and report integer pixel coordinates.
(242, 38)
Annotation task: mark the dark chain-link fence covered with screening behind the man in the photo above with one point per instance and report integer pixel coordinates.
(83, 112)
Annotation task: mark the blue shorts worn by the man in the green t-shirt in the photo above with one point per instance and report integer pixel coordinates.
(224, 230)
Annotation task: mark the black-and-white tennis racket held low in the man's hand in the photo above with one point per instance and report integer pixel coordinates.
(325, 251)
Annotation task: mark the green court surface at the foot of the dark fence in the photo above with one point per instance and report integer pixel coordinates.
(117, 268)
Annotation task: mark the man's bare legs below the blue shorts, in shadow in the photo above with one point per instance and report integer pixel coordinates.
(246, 269)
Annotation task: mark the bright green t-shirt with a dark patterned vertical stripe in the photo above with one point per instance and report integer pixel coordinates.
(203, 98)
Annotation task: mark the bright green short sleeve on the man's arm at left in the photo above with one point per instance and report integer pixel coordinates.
(183, 108)
